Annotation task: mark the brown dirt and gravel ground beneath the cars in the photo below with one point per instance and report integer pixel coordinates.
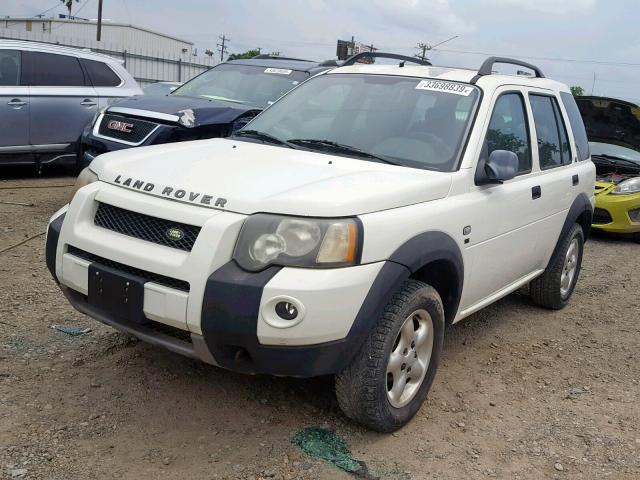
(522, 393)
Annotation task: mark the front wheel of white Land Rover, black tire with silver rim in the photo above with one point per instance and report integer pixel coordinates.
(362, 388)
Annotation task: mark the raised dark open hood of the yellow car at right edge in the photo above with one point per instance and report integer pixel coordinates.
(609, 120)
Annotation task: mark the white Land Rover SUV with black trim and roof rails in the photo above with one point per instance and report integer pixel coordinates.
(342, 230)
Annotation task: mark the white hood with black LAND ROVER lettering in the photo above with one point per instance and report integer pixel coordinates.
(248, 178)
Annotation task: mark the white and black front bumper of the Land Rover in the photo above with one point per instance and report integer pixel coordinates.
(223, 318)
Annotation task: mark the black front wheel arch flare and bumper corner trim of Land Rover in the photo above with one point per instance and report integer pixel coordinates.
(231, 310)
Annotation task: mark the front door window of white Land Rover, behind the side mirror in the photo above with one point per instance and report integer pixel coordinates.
(509, 129)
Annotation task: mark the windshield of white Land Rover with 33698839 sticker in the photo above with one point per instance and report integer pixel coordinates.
(402, 120)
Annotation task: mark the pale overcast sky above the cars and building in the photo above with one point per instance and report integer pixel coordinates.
(569, 39)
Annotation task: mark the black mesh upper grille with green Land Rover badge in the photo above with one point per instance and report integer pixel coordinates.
(145, 227)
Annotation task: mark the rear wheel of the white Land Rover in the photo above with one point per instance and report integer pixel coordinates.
(548, 290)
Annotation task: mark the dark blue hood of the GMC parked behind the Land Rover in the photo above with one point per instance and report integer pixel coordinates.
(203, 111)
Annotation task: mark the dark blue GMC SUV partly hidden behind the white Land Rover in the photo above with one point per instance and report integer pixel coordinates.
(213, 104)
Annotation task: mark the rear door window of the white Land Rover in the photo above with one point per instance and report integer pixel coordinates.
(553, 141)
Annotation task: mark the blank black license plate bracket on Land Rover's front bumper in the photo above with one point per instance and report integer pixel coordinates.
(116, 293)
